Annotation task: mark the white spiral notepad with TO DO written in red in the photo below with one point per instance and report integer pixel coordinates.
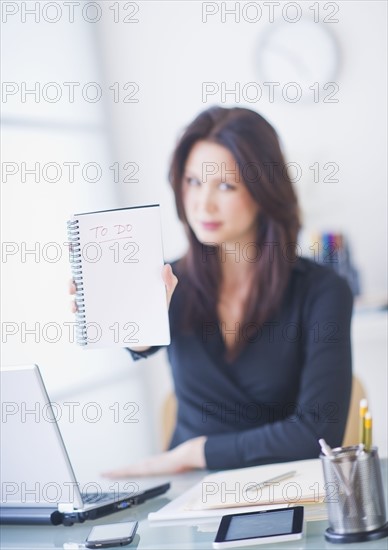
(117, 260)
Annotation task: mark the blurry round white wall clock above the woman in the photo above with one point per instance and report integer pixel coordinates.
(304, 52)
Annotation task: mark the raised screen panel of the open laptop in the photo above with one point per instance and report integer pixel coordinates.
(35, 467)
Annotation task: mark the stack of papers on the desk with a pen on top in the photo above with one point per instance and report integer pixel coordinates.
(226, 492)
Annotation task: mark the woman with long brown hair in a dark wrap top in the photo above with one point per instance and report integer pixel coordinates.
(260, 336)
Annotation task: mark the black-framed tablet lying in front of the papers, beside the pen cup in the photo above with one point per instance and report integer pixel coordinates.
(260, 527)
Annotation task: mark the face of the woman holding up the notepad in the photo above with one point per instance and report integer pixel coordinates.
(218, 206)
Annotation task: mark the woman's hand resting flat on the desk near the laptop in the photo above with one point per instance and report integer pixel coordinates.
(187, 456)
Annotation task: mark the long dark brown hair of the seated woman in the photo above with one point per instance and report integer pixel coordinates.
(255, 146)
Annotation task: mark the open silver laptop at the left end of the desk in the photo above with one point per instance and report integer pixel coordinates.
(38, 484)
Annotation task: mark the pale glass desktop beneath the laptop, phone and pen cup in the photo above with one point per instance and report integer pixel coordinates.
(166, 537)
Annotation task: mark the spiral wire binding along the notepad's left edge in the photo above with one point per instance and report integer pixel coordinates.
(76, 268)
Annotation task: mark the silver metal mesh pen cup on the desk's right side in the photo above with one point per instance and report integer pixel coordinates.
(354, 495)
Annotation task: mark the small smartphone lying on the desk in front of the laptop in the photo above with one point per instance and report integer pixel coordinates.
(111, 534)
